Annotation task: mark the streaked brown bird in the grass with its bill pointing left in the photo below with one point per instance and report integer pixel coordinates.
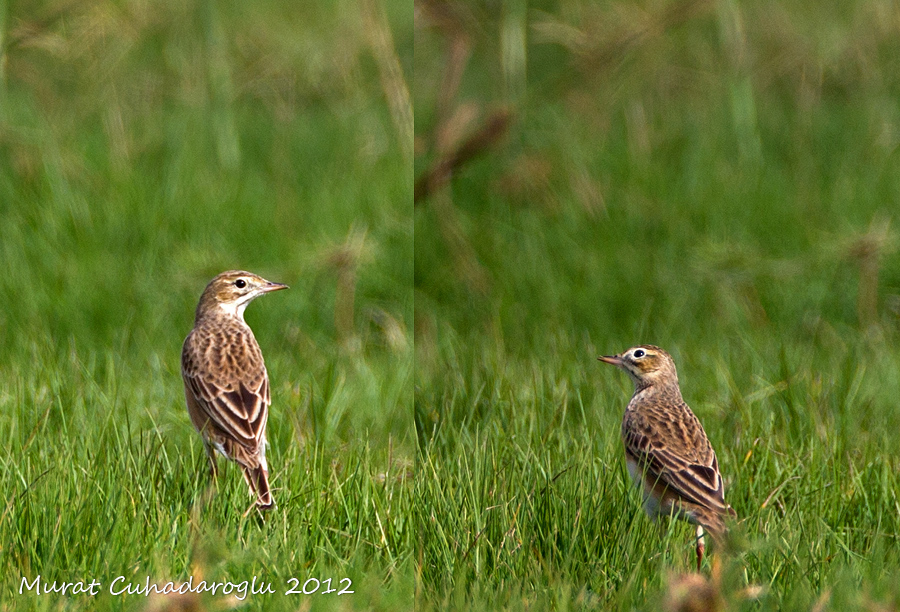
(667, 452)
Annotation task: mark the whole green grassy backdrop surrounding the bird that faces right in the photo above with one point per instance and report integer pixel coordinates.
(146, 146)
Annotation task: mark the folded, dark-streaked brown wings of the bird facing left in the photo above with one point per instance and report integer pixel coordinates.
(686, 465)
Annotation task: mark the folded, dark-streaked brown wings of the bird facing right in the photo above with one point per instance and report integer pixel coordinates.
(238, 408)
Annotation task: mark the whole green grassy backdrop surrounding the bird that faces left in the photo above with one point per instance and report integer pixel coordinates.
(715, 177)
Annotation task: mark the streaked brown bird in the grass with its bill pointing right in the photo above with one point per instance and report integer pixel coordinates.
(226, 385)
